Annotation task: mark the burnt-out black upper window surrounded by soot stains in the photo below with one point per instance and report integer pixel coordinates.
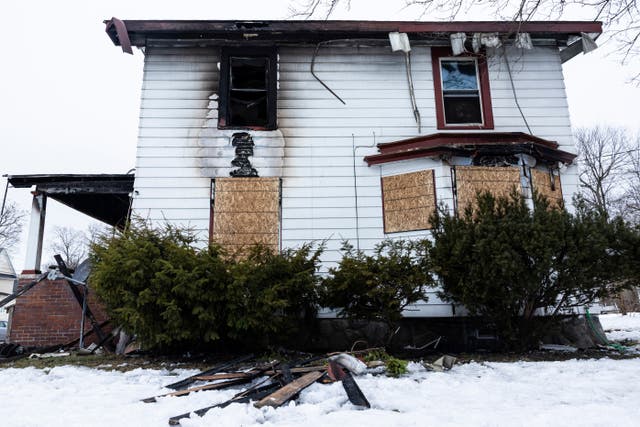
(248, 89)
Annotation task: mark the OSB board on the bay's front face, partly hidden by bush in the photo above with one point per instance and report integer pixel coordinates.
(470, 180)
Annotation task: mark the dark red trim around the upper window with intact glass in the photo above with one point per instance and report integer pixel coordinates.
(485, 90)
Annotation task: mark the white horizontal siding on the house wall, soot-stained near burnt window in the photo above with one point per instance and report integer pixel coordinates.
(180, 148)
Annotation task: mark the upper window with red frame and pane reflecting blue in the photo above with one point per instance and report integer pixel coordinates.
(461, 83)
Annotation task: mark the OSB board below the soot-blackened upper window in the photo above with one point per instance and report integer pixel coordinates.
(246, 211)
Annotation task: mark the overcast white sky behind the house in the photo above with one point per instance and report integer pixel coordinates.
(69, 99)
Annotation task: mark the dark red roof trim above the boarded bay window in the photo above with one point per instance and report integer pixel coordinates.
(469, 145)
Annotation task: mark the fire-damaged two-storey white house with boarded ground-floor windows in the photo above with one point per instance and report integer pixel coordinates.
(286, 132)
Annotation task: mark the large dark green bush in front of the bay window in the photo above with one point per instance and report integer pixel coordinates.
(507, 263)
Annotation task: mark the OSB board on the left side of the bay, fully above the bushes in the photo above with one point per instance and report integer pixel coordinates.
(408, 200)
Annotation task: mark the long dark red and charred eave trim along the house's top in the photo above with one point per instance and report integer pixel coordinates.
(315, 31)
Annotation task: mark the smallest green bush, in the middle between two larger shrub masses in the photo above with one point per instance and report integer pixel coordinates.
(381, 285)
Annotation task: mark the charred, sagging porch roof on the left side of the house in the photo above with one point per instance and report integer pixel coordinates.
(104, 197)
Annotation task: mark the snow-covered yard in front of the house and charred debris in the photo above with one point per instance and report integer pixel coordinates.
(560, 393)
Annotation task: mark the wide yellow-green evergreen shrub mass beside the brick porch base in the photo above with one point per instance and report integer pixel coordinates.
(156, 285)
